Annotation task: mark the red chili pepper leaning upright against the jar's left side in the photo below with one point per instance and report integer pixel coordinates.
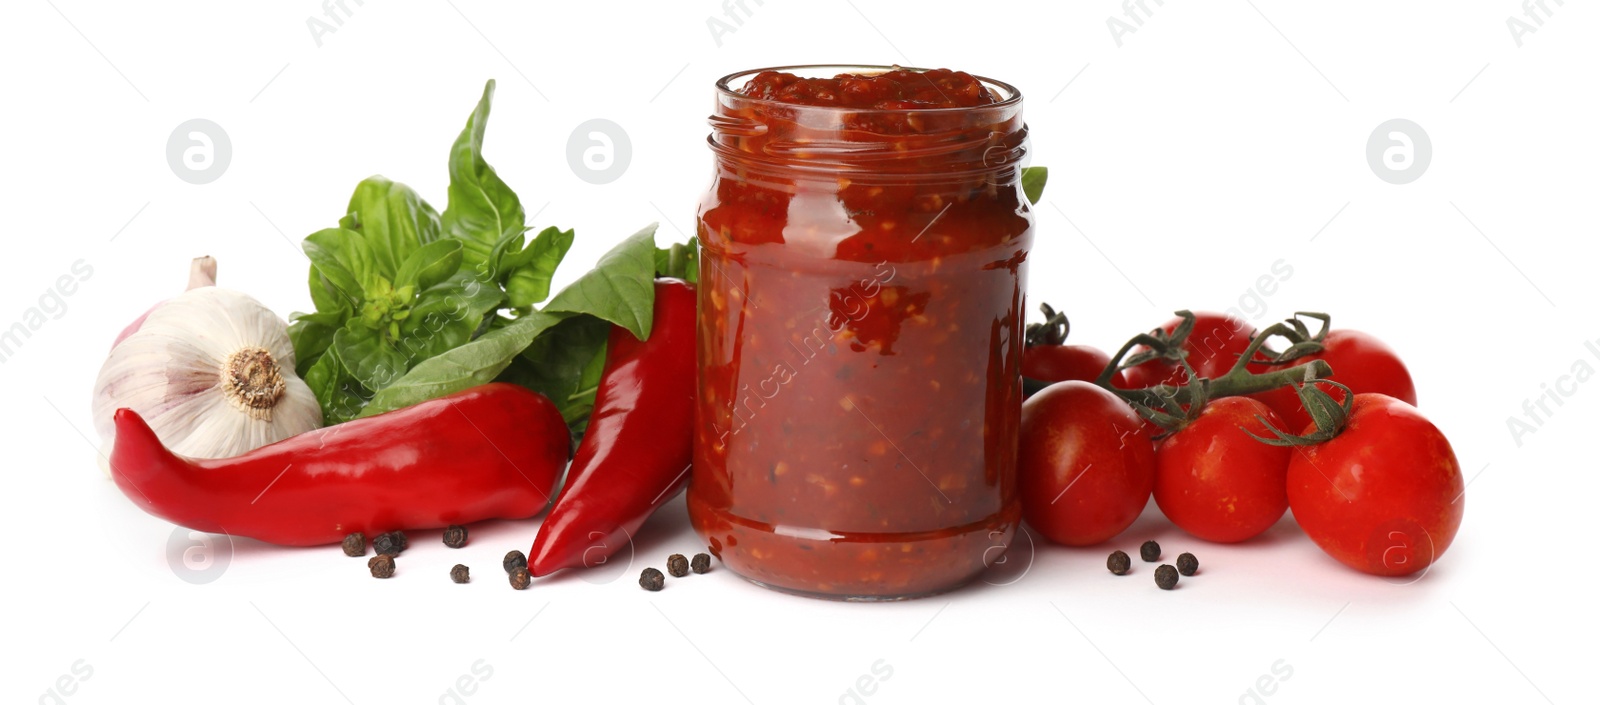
(639, 444)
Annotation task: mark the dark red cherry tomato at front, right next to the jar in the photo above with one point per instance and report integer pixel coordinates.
(1086, 466)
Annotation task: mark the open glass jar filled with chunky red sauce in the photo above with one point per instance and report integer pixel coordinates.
(863, 268)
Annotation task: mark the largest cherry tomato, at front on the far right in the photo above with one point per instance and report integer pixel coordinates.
(1386, 495)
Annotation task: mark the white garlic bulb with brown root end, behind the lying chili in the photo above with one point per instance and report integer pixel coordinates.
(212, 372)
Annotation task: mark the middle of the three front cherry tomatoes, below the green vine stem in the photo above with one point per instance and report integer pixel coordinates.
(1217, 482)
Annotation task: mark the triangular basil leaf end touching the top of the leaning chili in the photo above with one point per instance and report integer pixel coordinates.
(622, 289)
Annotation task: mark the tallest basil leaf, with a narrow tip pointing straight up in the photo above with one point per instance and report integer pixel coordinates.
(482, 209)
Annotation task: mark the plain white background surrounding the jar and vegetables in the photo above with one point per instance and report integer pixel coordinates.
(1215, 141)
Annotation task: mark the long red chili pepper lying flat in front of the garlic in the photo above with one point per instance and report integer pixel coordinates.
(492, 452)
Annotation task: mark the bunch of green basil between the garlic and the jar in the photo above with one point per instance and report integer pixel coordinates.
(414, 305)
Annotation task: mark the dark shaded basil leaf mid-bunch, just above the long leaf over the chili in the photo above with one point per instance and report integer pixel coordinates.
(446, 317)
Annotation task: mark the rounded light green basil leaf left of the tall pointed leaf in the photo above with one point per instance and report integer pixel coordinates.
(394, 221)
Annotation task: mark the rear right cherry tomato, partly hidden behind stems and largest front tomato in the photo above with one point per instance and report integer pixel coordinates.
(1359, 362)
